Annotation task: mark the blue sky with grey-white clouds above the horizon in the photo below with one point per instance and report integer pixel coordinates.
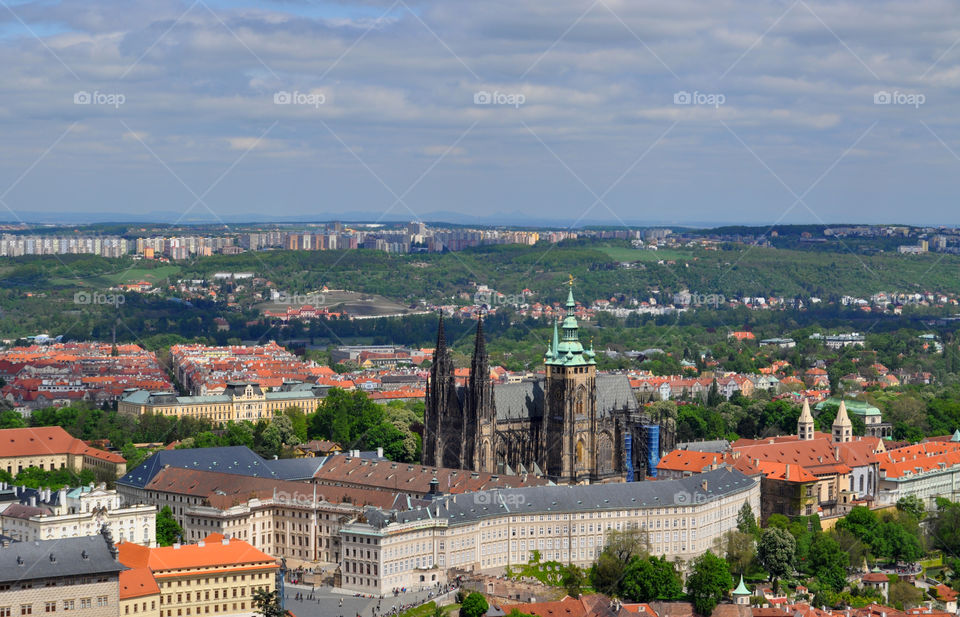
(569, 112)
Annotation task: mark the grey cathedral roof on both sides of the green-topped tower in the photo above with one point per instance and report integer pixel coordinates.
(520, 401)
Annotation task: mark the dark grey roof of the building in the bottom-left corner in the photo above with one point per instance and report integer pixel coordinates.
(22, 561)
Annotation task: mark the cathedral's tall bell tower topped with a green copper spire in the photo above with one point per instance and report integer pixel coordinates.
(570, 402)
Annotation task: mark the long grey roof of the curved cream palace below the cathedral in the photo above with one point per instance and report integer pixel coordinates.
(471, 507)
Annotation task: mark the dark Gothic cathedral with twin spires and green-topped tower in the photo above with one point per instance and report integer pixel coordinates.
(569, 425)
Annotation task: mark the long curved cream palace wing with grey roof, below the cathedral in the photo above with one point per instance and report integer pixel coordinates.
(490, 530)
